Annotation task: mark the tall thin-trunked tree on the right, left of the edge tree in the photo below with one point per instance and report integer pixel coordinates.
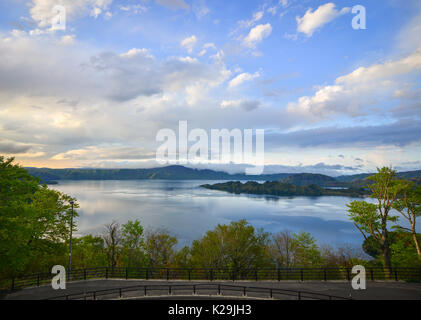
(372, 219)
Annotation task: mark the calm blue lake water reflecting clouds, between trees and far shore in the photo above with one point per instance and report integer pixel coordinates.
(188, 211)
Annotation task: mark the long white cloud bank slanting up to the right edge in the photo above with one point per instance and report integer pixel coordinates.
(363, 87)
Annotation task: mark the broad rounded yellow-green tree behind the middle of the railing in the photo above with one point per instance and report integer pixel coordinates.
(236, 246)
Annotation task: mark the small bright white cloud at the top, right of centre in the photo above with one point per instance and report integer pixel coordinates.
(313, 20)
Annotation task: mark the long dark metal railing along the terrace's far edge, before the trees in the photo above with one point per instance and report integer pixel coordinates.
(281, 274)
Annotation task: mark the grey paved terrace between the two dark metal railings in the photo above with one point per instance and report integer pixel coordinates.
(376, 290)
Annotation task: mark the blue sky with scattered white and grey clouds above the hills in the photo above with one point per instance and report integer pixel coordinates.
(332, 99)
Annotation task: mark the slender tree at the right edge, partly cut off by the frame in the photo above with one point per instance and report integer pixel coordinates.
(409, 206)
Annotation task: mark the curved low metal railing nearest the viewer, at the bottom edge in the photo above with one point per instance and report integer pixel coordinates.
(208, 289)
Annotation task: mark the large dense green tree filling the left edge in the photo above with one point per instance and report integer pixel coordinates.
(34, 220)
